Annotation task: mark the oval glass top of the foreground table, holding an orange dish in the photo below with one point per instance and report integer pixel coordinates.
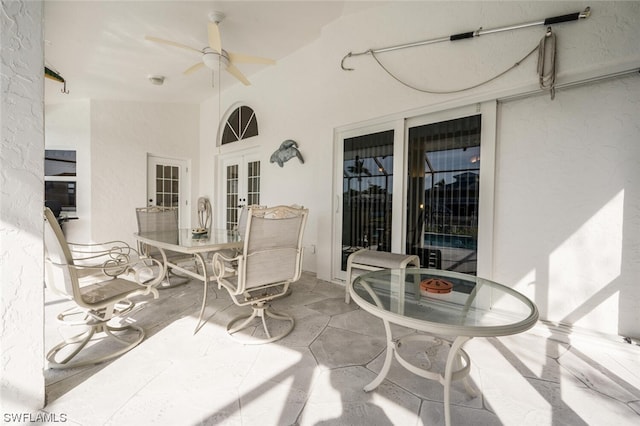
(472, 307)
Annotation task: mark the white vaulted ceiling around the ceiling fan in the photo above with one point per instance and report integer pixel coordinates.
(99, 47)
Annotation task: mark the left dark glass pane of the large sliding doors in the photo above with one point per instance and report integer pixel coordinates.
(367, 192)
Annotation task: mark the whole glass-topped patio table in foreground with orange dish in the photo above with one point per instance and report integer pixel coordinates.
(454, 306)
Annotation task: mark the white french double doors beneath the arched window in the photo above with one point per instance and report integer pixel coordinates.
(240, 186)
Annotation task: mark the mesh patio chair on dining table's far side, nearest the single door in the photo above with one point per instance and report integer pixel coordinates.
(159, 218)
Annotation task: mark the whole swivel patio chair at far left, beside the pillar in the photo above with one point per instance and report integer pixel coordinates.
(117, 275)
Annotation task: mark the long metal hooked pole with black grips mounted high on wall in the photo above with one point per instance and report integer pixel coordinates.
(470, 34)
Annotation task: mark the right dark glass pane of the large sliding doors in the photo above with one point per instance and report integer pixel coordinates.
(443, 192)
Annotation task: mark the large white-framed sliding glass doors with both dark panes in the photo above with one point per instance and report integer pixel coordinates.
(421, 185)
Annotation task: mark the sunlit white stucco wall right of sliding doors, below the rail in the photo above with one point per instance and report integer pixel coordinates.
(568, 204)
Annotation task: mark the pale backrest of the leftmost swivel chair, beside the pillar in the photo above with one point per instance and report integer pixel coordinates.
(59, 278)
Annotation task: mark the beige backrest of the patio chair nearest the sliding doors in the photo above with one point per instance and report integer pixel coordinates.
(273, 245)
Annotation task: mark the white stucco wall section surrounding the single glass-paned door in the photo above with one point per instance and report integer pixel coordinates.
(122, 134)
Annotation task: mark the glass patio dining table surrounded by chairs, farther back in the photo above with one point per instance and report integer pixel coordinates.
(184, 241)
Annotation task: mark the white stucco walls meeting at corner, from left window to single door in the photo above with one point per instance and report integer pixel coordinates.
(112, 140)
